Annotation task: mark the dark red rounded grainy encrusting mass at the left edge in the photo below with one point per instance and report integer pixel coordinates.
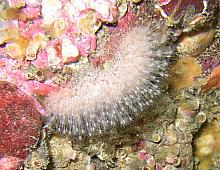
(21, 121)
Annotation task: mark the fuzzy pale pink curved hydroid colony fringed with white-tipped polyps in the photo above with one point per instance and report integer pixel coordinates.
(102, 98)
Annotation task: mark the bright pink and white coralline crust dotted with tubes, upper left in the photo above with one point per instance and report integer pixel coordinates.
(48, 35)
